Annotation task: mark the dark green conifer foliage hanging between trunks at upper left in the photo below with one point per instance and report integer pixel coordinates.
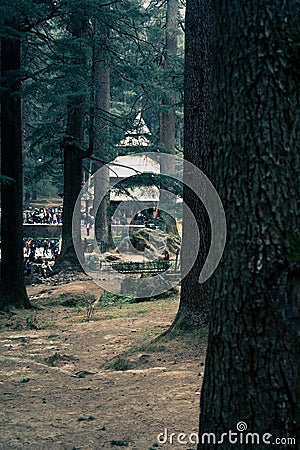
(58, 65)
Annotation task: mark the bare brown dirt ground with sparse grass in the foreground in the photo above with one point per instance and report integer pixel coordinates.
(69, 383)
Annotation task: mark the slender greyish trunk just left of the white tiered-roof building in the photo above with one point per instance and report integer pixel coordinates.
(101, 143)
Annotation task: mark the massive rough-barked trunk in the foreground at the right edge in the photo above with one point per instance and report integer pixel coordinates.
(253, 351)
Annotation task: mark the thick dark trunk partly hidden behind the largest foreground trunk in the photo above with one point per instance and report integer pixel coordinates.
(194, 299)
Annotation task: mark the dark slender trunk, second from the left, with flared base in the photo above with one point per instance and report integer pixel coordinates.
(73, 151)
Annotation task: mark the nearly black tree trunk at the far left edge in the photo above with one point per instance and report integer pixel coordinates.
(12, 290)
